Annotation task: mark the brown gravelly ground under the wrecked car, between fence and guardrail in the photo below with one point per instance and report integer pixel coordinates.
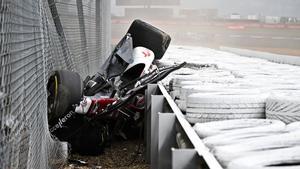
(120, 155)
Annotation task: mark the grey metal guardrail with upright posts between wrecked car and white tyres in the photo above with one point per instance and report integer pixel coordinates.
(164, 119)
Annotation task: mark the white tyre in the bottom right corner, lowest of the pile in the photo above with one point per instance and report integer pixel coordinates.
(285, 158)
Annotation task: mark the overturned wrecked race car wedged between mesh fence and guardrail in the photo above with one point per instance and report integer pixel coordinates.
(89, 114)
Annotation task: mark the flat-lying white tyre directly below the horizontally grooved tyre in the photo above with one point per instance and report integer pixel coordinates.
(237, 126)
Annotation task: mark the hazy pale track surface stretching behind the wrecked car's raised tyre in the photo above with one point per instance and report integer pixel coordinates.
(271, 38)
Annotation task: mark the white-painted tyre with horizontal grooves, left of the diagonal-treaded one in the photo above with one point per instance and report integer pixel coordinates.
(220, 107)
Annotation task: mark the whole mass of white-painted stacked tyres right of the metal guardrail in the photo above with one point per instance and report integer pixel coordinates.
(248, 74)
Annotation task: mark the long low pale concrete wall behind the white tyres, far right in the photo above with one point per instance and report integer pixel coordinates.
(285, 59)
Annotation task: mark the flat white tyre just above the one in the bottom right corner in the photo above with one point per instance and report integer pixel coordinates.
(227, 153)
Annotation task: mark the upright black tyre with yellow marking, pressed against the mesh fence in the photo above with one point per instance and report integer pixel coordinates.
(65, 89)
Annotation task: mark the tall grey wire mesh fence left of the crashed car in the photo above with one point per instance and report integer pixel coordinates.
(37, 37)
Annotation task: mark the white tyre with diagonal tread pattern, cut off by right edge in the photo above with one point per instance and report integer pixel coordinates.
(284, 108)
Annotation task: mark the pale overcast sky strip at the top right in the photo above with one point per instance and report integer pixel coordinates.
(245, 7)
